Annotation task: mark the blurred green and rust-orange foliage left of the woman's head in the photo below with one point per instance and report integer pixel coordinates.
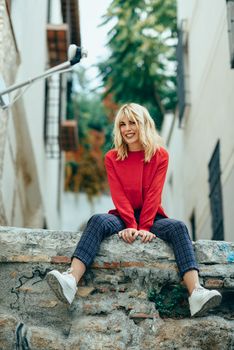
(86, 172)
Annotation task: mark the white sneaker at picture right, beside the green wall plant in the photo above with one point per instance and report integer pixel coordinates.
(202, 300)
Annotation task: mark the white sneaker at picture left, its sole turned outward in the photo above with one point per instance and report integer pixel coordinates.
(62, 284)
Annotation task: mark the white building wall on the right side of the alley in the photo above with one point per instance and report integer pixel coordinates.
(210, 118)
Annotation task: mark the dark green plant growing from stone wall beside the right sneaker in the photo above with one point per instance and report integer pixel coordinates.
(171, 301)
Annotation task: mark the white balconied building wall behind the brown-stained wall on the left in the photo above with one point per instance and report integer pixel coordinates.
(29, 20)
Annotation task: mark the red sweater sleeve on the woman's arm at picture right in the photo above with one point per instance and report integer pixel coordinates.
(153, 196)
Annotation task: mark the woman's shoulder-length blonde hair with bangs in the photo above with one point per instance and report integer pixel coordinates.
(149, 137)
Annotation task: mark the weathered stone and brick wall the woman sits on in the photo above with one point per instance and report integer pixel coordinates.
(111, 309)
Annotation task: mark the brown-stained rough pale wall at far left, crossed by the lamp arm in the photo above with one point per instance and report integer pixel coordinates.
(18, 179)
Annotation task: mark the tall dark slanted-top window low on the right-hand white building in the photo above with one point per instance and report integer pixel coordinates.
(216, 194)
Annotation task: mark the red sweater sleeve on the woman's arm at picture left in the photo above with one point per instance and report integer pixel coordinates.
(119, 197)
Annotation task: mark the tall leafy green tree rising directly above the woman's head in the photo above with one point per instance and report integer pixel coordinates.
(141, 66)
